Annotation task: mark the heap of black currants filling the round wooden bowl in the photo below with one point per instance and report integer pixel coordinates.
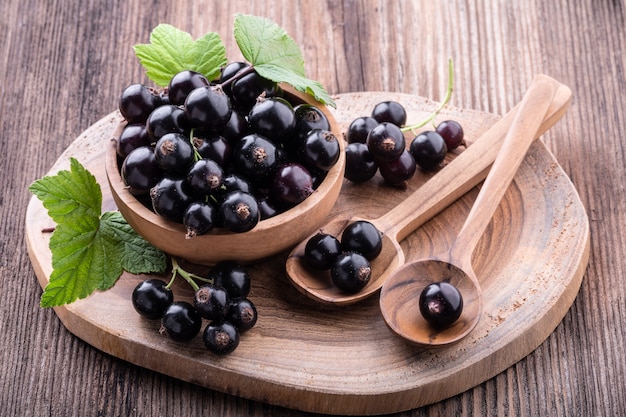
(224, 153)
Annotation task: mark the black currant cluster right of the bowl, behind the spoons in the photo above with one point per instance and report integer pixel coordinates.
(377, 143)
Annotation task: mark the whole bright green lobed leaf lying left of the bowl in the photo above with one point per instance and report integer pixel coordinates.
(89, 249)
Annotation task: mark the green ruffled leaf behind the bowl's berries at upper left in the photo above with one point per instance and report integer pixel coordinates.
(172, 50)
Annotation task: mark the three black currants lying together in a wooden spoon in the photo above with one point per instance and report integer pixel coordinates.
(348, 258)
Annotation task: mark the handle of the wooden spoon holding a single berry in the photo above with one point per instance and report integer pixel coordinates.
(521, 134)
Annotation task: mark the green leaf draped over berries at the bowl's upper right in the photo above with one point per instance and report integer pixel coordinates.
(275, 55)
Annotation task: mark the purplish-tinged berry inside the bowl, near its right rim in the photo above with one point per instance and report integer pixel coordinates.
(292, 184)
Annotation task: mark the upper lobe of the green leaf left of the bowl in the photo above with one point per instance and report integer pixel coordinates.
(73, 193)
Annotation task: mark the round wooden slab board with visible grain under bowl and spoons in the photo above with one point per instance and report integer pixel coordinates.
(344, 360)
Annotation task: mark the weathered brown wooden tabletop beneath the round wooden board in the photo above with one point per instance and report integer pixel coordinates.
(63, 65)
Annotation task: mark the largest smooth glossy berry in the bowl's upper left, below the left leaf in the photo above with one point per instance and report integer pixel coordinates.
(208, 108)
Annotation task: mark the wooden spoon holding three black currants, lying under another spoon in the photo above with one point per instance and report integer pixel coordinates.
(458, 177)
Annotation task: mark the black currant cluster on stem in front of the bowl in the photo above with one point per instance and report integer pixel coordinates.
(221, 299)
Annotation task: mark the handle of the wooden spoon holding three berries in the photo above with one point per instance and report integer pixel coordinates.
(462, 174)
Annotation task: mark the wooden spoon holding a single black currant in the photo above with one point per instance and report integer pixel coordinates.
(401, 291)
